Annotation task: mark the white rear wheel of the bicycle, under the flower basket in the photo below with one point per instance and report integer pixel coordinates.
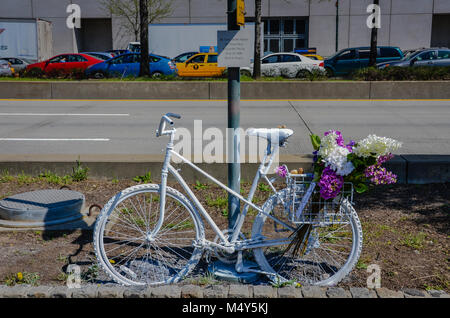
(329, 254)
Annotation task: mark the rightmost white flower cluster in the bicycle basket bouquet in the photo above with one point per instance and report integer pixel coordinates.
(372, 144)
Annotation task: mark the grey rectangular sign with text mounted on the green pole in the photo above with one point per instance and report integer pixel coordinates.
(235, 48)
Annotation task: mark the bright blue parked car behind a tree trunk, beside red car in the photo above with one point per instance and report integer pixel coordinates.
(129, 65)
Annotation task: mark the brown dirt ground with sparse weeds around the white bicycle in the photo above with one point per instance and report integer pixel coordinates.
(406, 233)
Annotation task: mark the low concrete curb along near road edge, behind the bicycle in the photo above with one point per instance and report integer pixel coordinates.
(410, 168)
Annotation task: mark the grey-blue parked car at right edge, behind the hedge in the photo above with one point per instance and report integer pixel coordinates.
(426, 57)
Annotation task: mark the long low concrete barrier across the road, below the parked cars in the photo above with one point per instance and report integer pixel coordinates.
(218, 90)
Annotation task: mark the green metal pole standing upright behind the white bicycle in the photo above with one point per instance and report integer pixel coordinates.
(234, 96)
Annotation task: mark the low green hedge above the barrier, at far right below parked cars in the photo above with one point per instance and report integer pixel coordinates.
(394, 73)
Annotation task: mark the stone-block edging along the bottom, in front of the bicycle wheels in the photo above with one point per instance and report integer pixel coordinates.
(211, 291)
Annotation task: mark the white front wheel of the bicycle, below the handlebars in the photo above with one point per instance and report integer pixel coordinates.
(132, 253)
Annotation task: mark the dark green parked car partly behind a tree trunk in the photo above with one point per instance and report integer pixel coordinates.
(351, 59)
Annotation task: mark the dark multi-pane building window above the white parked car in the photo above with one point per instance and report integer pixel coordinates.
(285, 34)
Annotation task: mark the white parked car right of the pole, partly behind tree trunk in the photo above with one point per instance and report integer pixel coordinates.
(289, 65)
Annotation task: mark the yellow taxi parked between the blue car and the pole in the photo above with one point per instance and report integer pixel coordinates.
(199, 65)
